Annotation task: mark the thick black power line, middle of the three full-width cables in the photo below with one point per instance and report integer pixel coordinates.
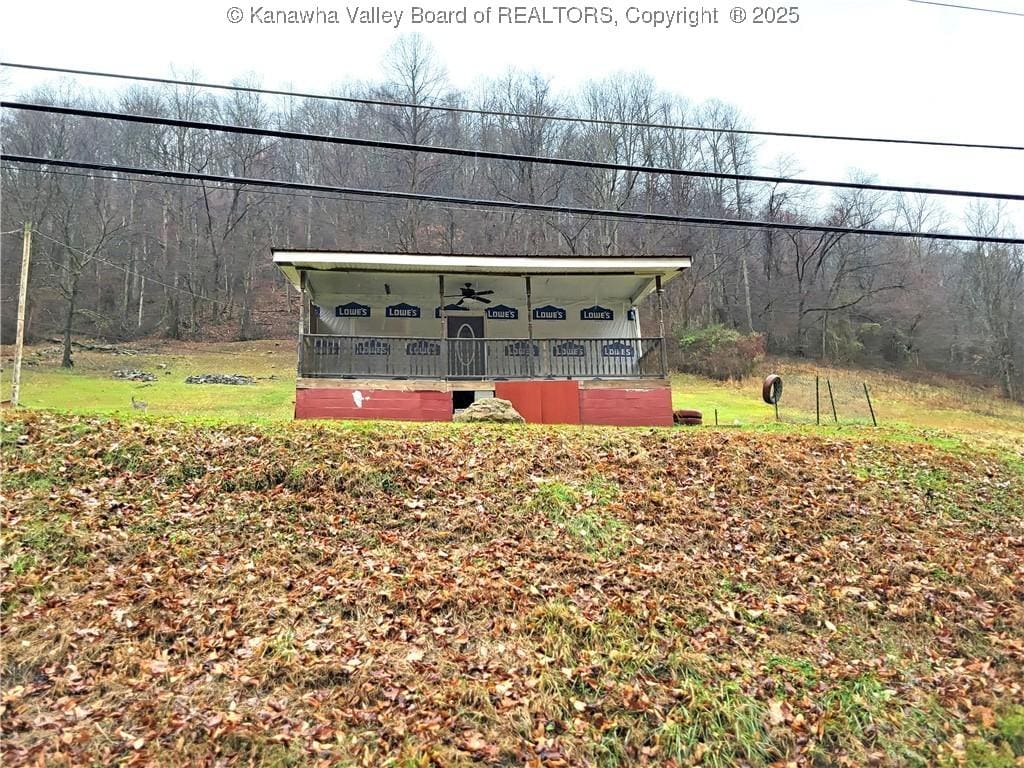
(490, 155)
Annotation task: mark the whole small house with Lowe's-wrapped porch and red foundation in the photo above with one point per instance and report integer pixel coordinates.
(417, 336)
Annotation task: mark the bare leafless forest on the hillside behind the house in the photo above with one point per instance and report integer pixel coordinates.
(122, 258)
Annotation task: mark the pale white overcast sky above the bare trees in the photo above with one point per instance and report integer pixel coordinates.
(883, 68)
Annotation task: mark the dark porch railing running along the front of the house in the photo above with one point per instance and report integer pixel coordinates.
(410, 358)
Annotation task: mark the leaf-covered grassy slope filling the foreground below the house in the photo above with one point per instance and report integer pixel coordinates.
(415, 595)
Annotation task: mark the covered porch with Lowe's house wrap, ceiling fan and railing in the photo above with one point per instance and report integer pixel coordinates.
(485, 318)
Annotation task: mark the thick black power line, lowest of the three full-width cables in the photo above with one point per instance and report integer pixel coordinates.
(511, 205)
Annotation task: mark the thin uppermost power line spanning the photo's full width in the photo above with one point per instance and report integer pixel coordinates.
(515, 115)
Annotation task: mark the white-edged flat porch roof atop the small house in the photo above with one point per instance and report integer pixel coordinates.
(291, 263)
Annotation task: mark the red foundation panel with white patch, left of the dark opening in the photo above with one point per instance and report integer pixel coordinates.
(372, 404)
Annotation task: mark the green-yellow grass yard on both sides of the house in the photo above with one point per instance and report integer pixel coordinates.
(900, 404)
